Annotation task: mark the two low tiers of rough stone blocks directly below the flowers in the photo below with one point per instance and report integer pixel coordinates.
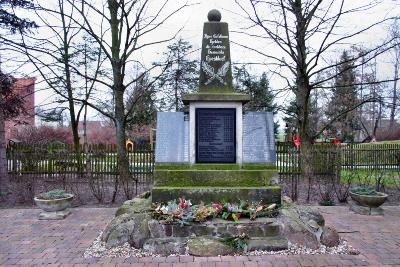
(205, 239)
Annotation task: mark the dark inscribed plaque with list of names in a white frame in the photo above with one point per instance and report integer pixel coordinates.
(215, 135)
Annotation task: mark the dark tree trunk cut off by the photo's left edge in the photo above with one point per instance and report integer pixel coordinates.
(4, 180)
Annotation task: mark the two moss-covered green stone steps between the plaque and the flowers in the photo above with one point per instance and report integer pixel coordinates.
(213, 183)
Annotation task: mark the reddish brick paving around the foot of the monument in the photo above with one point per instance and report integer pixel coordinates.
(26, 241)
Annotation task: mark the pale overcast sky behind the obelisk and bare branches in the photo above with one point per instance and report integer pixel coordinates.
(193, 17)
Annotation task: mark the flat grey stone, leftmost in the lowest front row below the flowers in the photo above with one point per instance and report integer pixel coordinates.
(168, 245)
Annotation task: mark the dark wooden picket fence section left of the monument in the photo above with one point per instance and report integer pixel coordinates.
(52, 160)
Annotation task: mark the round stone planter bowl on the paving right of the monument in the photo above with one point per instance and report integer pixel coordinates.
(367, 201)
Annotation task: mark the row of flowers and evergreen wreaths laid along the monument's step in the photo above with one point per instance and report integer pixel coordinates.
(184, 211)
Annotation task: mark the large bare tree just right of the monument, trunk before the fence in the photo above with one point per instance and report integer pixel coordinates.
(306, 32)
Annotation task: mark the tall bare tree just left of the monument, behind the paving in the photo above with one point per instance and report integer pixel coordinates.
(120, 28)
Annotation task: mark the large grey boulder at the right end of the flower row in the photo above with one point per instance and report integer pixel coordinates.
(296, 228)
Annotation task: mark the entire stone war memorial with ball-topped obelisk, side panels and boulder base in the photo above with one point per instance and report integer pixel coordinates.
(212, 192)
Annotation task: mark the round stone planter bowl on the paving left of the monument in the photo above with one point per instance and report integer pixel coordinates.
(55, 204)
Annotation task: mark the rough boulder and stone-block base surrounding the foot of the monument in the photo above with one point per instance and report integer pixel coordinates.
(134, 223)
